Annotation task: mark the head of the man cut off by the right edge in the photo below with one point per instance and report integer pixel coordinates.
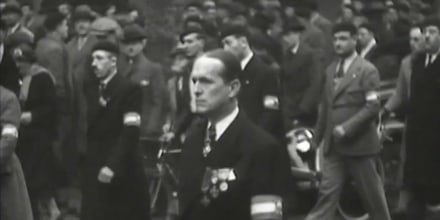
(431, 31)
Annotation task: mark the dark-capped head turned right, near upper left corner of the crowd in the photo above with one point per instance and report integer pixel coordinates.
(56, 23)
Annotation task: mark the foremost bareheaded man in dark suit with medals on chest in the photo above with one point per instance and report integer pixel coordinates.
(227, 159)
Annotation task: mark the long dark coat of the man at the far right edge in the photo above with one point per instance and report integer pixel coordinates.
(423, 124)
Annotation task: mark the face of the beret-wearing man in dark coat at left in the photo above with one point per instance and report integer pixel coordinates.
(103, 63)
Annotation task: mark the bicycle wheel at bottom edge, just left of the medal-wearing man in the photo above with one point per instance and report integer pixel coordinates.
(164, 201)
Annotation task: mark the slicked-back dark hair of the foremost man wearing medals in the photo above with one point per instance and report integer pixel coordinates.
(230, 62)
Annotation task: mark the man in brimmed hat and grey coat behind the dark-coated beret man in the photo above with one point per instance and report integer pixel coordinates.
(136, 67)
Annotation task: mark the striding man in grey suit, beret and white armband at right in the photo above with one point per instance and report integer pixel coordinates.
(346, 130)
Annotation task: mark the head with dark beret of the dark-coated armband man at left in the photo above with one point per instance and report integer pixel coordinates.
(104, 59)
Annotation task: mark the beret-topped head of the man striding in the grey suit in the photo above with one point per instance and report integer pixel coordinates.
(344, 39)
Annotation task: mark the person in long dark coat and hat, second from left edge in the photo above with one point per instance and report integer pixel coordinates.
(37, 131)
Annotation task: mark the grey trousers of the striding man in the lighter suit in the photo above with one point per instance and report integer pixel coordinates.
(337, 171)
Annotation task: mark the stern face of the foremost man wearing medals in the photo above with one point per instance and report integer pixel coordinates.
(209, 91)
